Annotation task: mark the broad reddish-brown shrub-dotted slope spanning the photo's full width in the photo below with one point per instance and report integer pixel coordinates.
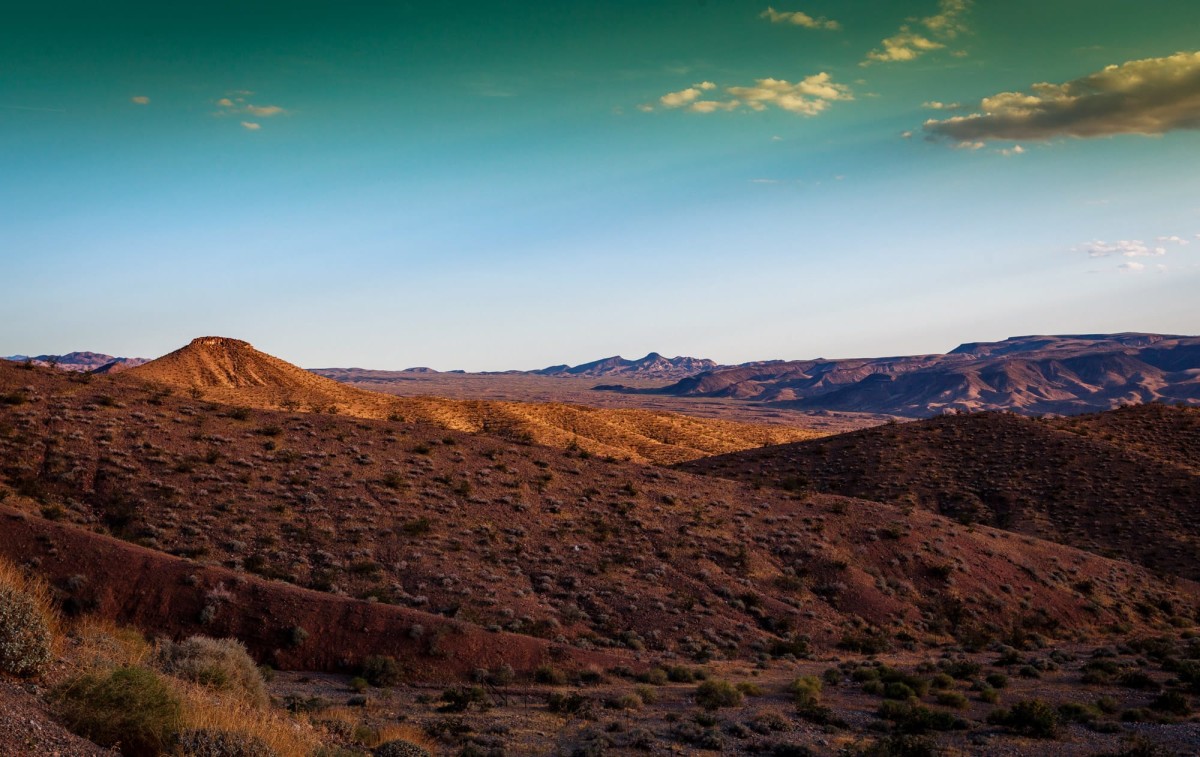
(544, 543)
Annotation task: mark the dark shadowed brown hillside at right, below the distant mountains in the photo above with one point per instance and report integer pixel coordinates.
(1121, 484)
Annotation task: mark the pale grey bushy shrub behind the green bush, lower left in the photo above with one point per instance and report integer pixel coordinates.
(220, 664)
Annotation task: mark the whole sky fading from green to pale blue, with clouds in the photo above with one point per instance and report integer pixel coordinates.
(519, 184)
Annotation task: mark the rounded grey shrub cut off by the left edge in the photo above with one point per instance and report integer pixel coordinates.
(28, 623)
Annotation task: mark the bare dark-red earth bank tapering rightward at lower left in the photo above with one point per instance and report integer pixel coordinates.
(171, 597)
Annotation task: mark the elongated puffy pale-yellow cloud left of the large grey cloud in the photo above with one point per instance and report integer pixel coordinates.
(808, 97)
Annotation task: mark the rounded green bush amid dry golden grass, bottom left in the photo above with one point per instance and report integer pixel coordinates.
(130, 707)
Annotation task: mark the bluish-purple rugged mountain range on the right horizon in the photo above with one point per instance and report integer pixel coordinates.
(1029, 375)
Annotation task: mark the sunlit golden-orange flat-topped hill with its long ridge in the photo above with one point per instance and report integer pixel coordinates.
(231, 371)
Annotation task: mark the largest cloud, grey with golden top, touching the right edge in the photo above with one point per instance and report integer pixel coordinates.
(1151, 97)
